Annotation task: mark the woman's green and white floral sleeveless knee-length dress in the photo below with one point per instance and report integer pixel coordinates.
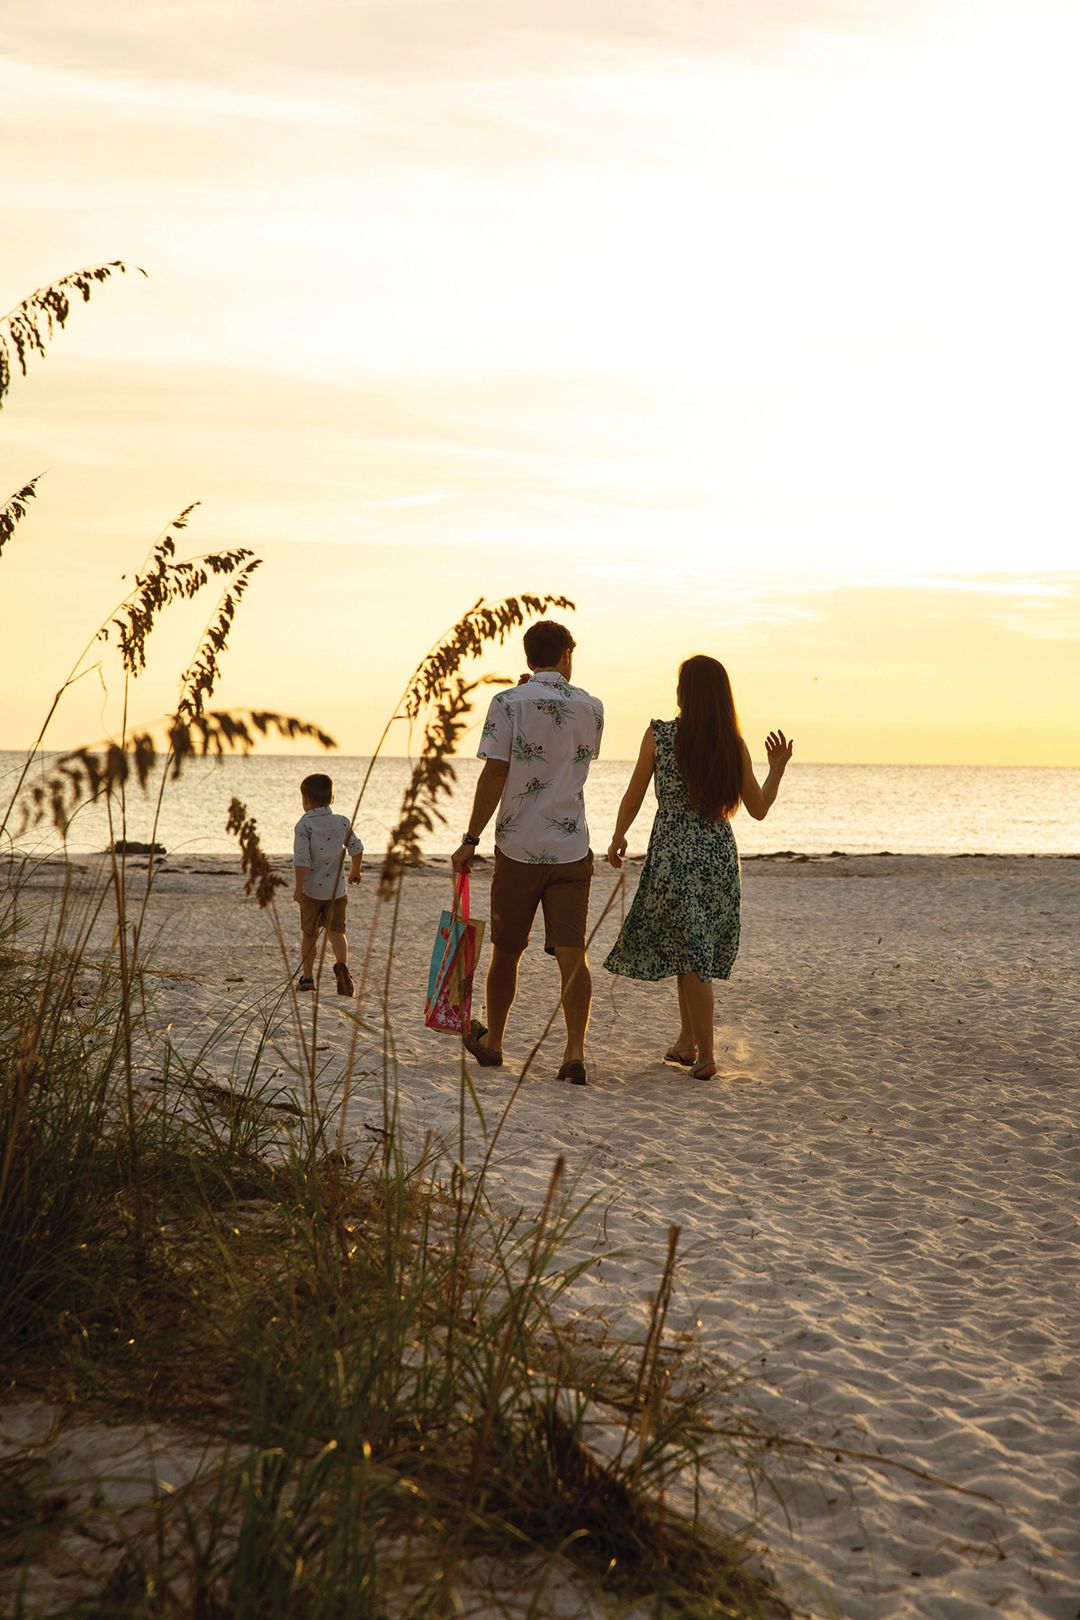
(684, 918)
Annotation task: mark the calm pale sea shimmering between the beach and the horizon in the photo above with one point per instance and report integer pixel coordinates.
(859, 809)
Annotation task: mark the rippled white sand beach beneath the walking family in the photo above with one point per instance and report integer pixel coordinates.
(877, 1195)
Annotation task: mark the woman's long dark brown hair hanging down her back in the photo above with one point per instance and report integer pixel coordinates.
(708, 741)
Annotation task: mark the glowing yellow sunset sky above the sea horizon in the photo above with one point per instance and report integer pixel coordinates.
(749, 326)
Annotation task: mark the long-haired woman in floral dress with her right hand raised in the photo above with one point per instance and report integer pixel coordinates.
(684, 919)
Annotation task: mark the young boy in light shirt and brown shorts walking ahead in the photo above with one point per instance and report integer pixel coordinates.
(320, 843)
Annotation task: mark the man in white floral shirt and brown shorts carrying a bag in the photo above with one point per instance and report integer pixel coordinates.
(538, 743)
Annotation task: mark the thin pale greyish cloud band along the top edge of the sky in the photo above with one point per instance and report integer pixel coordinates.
(417, 40)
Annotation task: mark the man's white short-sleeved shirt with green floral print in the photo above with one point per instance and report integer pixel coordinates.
(550, 733)
